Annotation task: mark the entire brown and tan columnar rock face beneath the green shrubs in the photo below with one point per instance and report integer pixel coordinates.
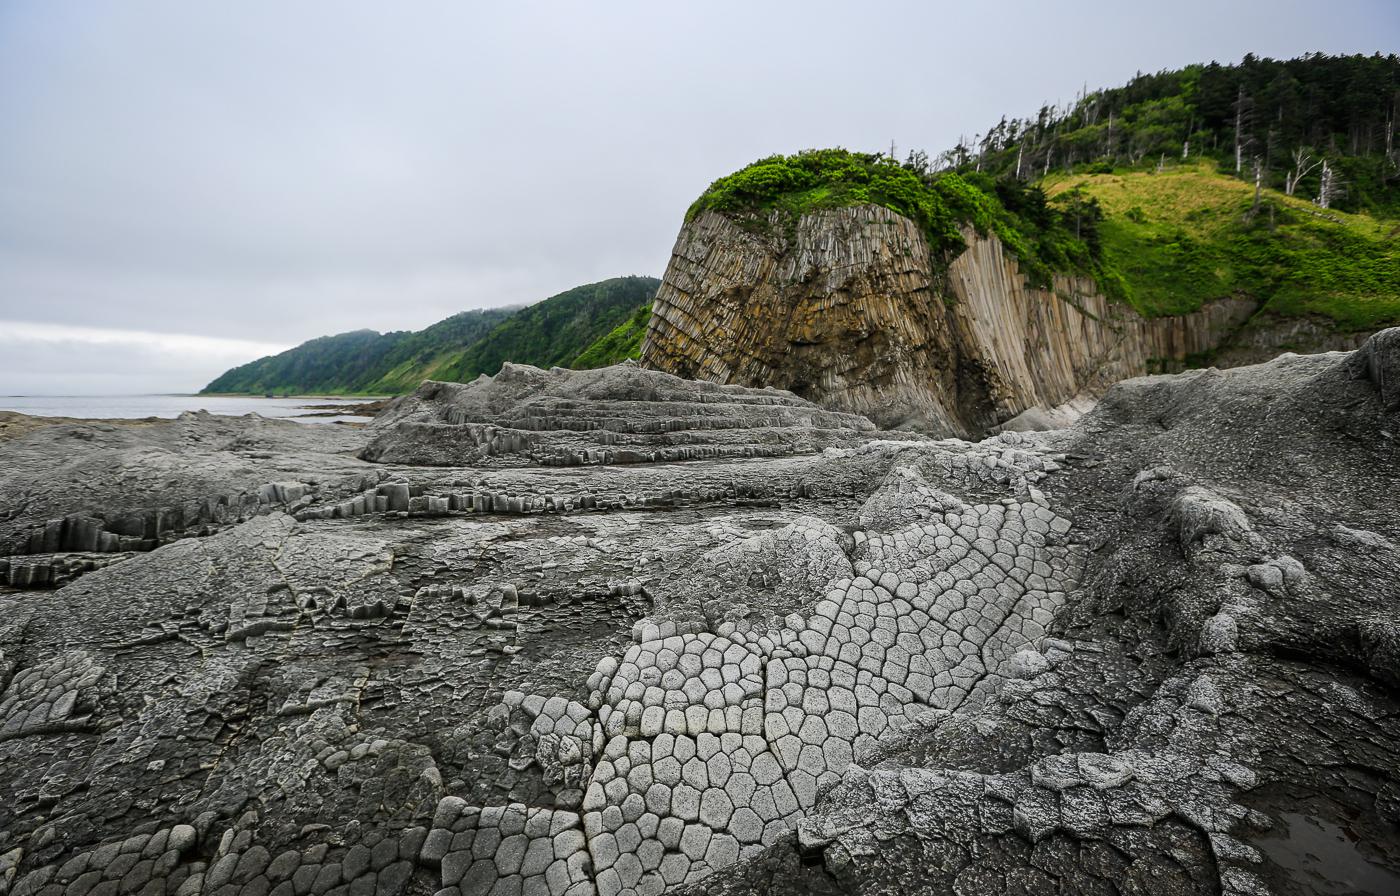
(850, 313)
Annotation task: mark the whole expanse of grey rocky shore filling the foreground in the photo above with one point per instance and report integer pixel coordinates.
(618, 633)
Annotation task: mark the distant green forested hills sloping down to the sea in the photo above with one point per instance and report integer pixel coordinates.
(554, 332)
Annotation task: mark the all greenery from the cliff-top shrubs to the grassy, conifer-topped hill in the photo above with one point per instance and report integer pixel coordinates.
(1273, 180)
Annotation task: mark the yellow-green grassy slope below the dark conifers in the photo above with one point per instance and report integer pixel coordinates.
(1188, 234)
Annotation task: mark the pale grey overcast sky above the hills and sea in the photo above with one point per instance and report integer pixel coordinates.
(185, 187)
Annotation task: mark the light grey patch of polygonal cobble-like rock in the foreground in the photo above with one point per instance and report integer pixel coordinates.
(712, 747)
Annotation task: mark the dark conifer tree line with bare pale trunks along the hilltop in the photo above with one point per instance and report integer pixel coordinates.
(1318, 127)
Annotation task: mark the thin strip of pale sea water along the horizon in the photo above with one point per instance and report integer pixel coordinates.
(136, 407)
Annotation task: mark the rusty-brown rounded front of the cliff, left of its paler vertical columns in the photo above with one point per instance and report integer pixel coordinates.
(843, 314)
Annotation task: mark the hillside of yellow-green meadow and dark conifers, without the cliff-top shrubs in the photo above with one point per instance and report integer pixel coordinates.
(1277, 180)
